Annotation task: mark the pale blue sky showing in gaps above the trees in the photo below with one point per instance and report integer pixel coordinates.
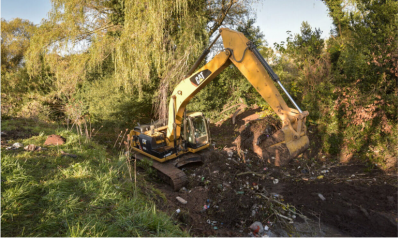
(274, 17)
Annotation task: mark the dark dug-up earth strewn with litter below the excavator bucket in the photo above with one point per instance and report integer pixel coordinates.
(337, 199)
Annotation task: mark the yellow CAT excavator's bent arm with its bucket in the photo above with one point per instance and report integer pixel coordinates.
(289, 141)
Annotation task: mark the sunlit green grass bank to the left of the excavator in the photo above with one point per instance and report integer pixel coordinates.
(46, 194)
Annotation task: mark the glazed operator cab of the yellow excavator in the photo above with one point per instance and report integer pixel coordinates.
(196, 130)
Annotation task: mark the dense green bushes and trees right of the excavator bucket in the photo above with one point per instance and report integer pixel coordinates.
(350, 89)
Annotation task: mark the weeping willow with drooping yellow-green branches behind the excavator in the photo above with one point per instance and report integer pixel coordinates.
(138, 41)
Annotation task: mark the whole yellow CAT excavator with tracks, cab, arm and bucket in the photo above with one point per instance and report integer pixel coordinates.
(177, 142)
